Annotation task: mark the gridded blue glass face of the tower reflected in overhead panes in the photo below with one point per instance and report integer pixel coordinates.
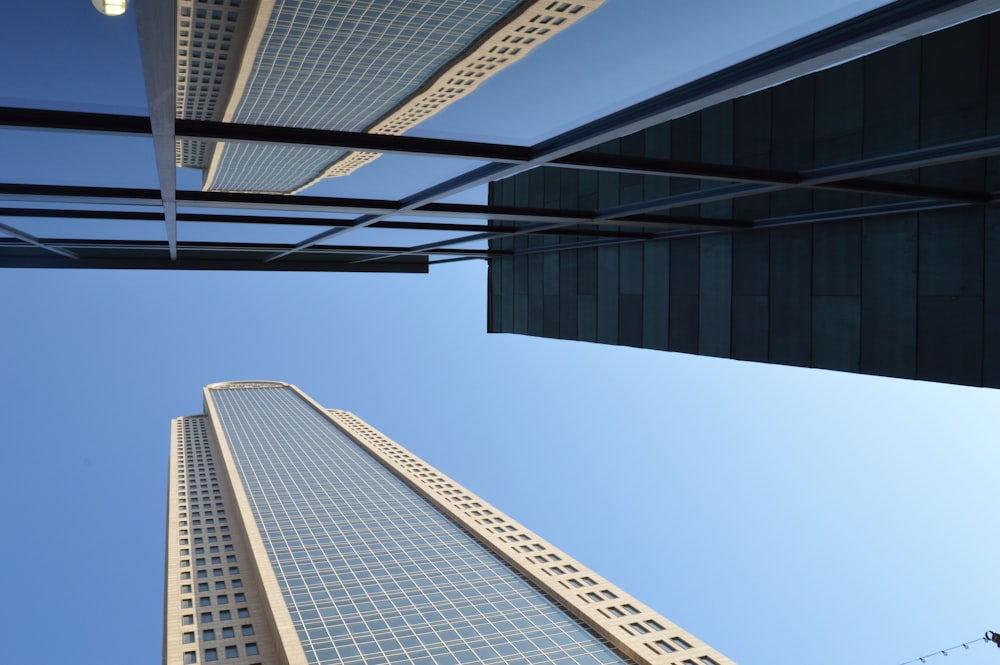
(339, 64)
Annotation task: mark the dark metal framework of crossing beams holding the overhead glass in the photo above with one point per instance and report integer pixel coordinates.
(633, 222)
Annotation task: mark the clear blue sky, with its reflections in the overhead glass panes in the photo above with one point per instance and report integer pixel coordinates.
(780, 514)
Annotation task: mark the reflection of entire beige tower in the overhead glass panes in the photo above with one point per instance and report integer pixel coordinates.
(348, 65)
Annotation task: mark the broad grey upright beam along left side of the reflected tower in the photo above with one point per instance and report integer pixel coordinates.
(156, 21)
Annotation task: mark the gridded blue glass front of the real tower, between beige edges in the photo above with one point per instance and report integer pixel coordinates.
(370, 571)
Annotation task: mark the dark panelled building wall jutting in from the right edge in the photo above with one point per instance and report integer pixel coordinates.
(843, 220)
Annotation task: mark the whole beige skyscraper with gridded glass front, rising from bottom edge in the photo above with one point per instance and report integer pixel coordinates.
(297, 534)
